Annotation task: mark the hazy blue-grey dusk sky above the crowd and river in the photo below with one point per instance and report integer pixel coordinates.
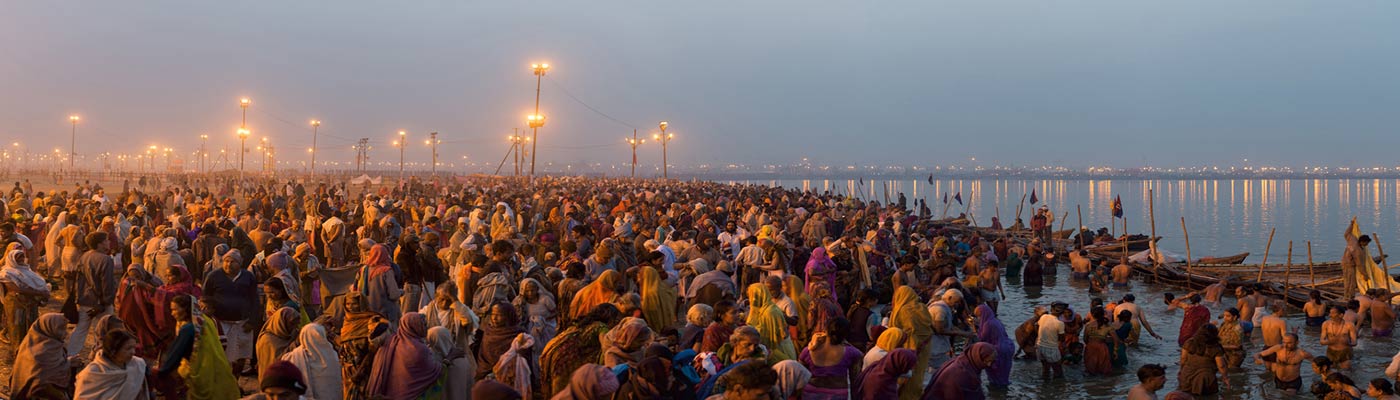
(901, 82)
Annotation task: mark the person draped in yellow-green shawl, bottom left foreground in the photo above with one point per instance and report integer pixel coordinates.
(195, 364)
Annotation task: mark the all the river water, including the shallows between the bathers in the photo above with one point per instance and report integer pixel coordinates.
(1224, 217)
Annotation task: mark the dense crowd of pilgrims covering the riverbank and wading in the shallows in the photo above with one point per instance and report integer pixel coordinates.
(575, 289)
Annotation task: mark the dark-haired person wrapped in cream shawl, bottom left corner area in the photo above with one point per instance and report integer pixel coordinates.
(115, 371)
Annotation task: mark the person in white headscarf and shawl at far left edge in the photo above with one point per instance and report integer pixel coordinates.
(23, 292)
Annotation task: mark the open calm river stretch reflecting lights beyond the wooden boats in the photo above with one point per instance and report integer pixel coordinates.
(1224, 217)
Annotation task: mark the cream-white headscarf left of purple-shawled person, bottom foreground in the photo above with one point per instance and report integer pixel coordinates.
(318, 363)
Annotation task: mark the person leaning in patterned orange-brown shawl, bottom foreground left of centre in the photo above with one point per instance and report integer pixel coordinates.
(575, 348)
